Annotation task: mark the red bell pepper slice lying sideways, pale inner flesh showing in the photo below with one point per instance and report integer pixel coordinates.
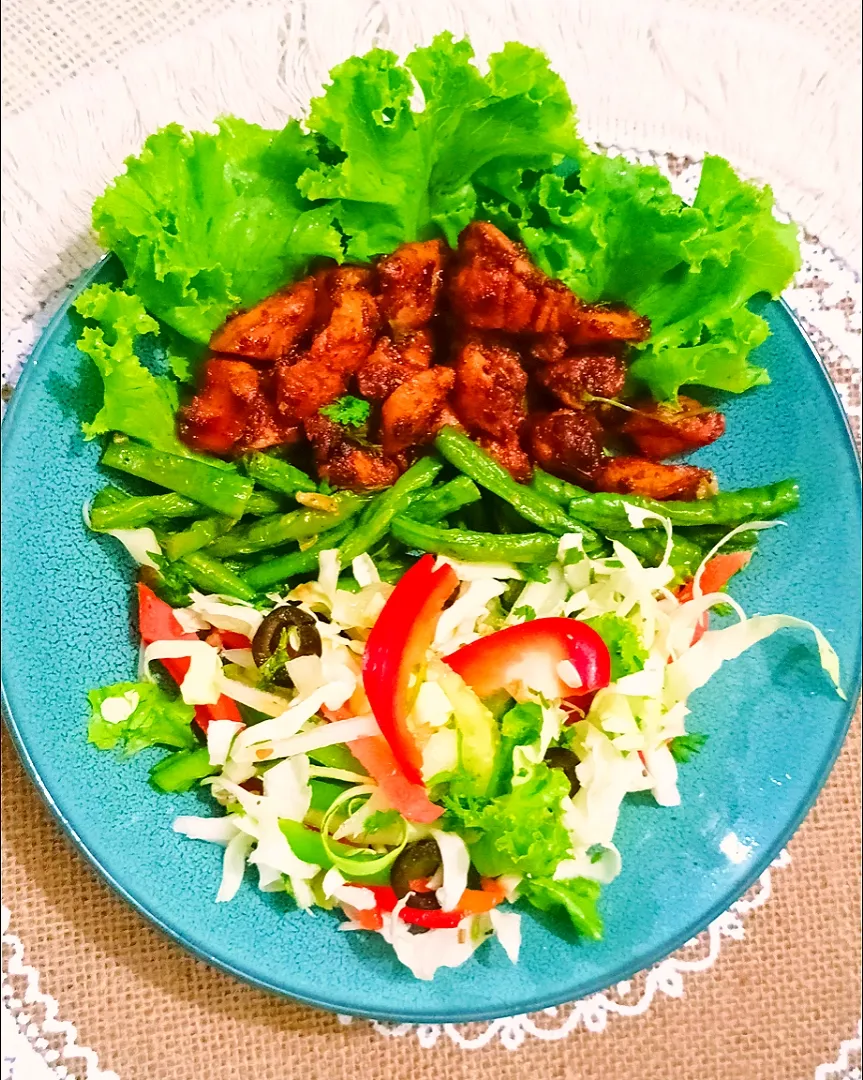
(529, 657)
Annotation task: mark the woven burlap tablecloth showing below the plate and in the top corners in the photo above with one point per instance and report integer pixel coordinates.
(778, 1004)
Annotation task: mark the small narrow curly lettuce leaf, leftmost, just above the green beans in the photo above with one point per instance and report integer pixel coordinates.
(137, 402)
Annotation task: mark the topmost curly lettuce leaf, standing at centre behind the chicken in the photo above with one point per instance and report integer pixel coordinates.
(392, 174)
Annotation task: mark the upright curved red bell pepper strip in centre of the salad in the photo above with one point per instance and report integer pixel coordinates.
(397, 650)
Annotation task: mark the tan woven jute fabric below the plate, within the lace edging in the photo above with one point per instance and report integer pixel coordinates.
(774, 1008)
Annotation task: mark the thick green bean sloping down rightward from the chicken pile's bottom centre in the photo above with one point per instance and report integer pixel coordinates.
(543, 511)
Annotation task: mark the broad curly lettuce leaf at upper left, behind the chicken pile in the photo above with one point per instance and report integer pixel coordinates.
(203, 222)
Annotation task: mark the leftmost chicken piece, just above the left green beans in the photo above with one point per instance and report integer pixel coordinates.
(233, 412)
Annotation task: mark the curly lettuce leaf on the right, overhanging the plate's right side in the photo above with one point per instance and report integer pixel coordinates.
(616, 232)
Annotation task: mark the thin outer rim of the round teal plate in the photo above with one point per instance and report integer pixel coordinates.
(758, 868)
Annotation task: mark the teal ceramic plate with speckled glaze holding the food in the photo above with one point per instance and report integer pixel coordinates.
(774, 722)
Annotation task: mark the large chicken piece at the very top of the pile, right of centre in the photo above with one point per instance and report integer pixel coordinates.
(497, 288)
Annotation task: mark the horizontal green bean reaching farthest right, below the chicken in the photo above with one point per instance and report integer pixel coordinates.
(609, 512)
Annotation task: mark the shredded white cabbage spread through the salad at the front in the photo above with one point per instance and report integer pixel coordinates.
(623, 745)
